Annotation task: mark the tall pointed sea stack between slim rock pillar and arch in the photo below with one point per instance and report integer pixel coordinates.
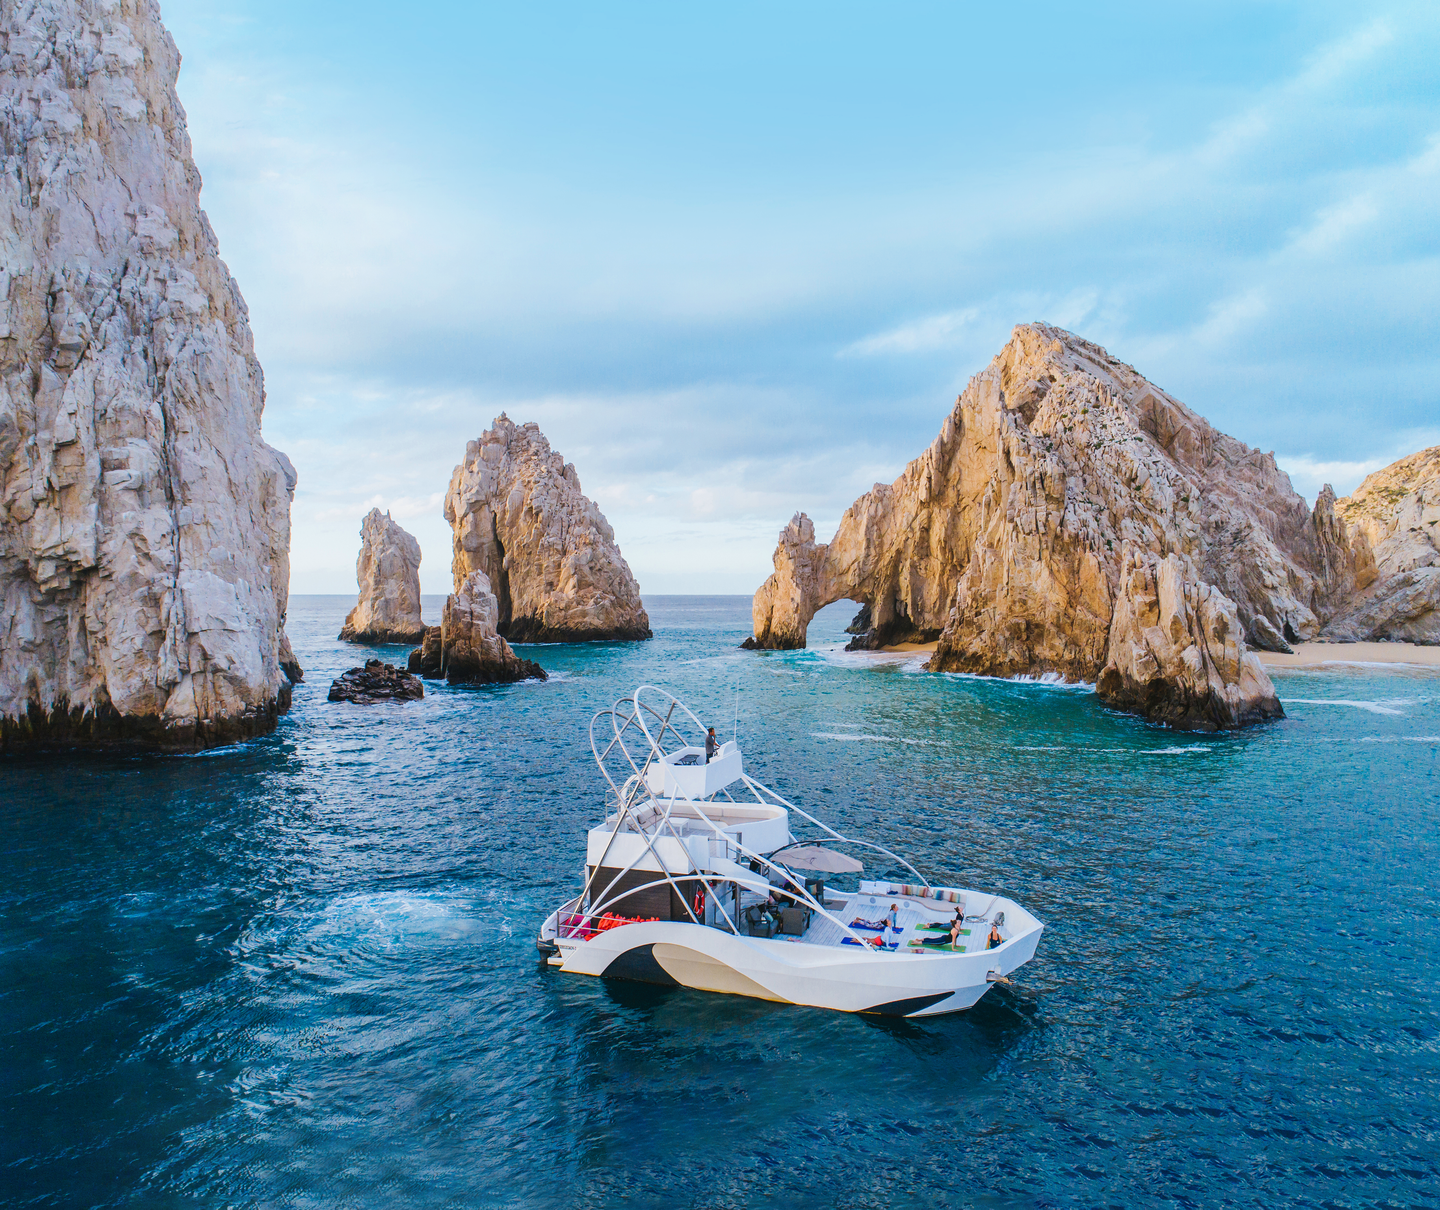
(519, 516)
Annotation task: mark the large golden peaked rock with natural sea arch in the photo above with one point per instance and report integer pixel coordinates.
(1006, 541)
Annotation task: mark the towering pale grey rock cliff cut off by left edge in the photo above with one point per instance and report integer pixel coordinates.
(145, 525)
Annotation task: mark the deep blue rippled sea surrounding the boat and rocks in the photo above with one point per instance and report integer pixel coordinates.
(300, 973)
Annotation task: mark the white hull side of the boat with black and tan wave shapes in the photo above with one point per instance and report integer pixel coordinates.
(894, 985)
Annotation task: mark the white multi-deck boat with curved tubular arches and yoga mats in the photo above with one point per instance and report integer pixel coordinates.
(698, 879)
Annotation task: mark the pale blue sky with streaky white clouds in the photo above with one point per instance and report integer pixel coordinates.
(738, 260)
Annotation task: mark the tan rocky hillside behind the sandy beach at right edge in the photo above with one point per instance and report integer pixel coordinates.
(1395, 516)
